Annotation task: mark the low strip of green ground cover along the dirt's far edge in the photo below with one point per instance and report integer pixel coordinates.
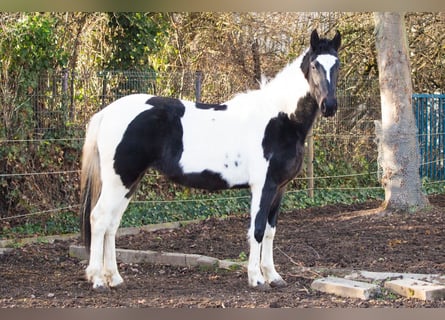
(195, 205)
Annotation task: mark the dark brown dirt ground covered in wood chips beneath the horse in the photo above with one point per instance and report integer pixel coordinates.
(351, 237)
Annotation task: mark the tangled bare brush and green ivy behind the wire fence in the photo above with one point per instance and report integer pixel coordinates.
(56, 69)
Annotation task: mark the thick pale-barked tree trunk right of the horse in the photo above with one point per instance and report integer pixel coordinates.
(396, 133)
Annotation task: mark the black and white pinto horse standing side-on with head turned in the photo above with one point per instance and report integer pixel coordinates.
(254, 140)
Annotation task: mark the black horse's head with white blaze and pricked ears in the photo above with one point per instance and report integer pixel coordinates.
(320, 67)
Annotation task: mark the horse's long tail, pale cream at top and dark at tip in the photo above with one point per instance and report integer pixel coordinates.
(90, 181)
